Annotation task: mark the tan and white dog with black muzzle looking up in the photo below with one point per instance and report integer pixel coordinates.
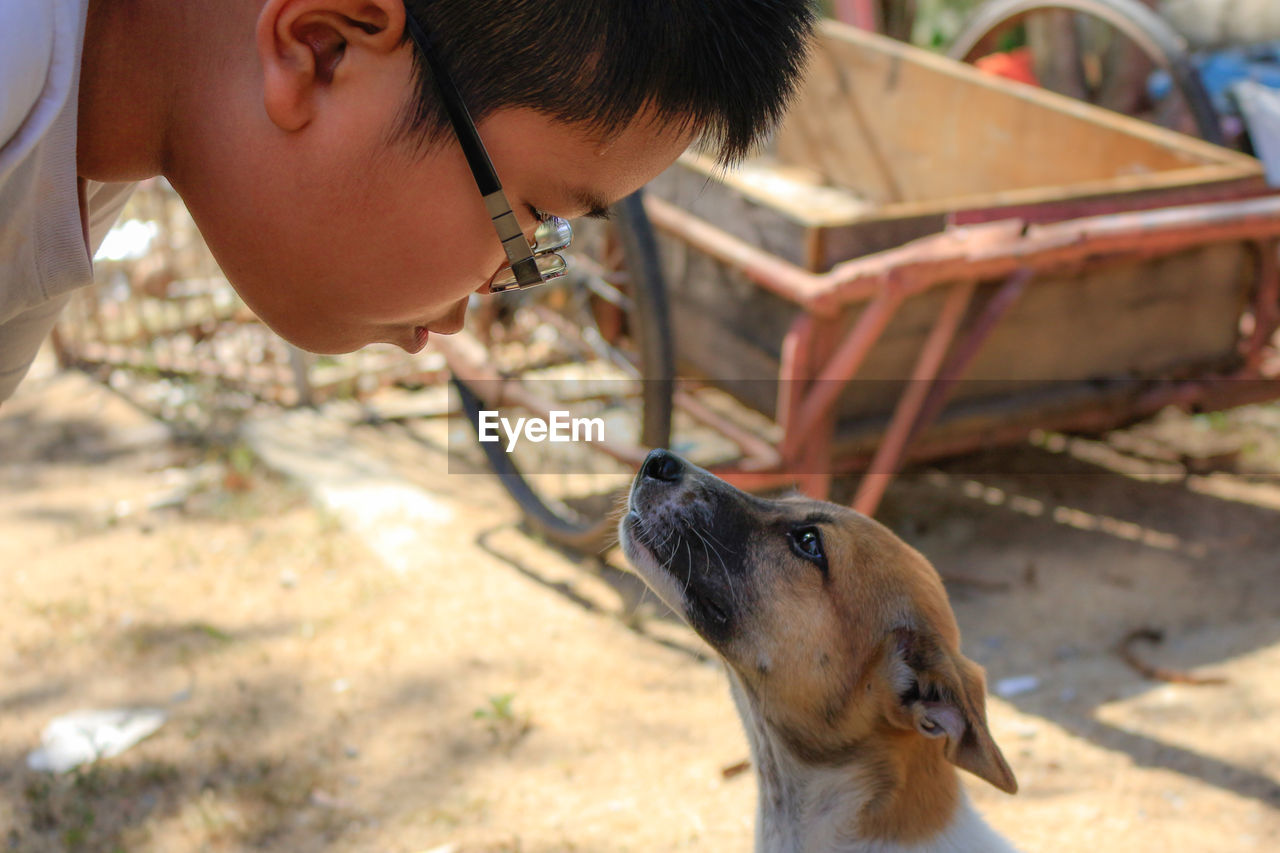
(844, 660)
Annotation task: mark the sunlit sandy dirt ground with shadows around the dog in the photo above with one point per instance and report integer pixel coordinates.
(504, 697)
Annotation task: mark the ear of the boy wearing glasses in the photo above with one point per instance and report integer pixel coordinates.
(303, 47)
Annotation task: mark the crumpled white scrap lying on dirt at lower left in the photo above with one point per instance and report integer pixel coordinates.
(86, 736)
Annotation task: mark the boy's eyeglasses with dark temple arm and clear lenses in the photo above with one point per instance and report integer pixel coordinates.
(528, 266)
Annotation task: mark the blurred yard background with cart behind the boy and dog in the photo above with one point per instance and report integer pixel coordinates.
(310, 613)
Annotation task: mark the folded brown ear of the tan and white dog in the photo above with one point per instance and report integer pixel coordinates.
(944, 695)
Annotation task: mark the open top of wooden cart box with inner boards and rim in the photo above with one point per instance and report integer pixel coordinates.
(888, 144)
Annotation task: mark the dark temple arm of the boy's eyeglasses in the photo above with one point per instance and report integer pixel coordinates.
(505, 222)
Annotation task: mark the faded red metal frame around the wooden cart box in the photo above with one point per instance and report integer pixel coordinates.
(815, 376)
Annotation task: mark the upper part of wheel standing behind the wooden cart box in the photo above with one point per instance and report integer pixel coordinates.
(1077, 54)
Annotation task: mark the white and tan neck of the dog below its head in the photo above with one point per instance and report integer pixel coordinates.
(872, 802)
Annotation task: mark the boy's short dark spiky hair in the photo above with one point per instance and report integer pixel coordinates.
(723, 69)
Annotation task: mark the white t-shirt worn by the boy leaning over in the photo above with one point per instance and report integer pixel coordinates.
(47, 248)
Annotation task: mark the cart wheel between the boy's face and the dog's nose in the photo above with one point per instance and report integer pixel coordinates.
(598, 345)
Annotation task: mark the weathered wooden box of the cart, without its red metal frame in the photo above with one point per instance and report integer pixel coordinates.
(889, 144)
